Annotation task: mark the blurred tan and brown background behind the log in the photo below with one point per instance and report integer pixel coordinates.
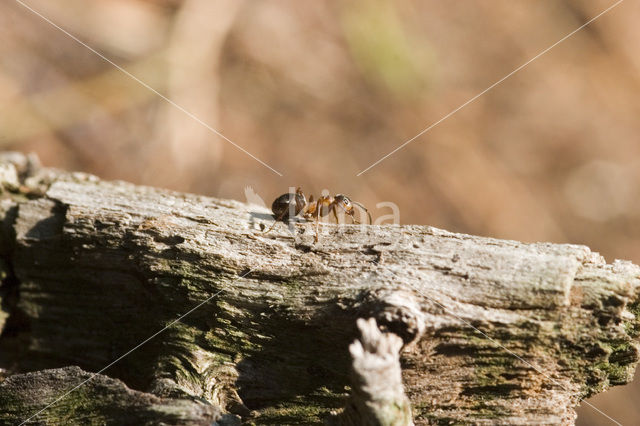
(320, 90)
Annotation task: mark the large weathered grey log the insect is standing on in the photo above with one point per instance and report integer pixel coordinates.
(494, 331)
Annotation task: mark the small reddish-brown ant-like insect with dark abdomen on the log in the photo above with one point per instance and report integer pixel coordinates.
(289, 205)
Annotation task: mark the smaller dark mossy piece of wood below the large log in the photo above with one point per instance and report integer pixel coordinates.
(101, 400)
